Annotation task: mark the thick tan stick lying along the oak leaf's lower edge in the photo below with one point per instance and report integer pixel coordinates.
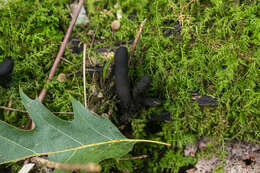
(90, 167)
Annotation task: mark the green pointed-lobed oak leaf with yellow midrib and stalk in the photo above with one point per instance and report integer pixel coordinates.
(87, 138)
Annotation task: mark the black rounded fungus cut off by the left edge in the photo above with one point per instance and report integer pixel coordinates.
(6, 69)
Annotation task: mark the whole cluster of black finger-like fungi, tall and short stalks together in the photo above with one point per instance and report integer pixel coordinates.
(130, 100)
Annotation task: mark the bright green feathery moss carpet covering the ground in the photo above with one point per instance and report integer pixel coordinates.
(216, 53)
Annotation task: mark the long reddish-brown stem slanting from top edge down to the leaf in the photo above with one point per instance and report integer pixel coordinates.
(62, 48)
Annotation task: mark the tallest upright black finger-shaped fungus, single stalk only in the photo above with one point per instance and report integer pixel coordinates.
(121, 78)
